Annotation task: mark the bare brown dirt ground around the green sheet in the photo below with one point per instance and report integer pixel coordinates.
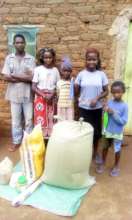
(109, 199)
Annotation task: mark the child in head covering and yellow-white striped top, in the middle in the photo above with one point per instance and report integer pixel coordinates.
(65, 89)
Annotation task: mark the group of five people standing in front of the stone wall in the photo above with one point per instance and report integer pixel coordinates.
(38, 90)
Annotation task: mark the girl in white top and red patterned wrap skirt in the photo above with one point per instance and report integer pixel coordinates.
(44, 85)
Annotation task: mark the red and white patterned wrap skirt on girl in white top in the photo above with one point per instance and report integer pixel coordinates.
(44, 113)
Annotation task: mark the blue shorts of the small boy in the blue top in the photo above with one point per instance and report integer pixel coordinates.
(108, 142)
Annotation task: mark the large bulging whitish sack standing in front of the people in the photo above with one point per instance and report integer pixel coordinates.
(69, 154)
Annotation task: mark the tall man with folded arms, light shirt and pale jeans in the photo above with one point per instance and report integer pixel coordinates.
(18, 71)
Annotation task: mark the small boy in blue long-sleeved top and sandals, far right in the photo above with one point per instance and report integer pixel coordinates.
(117, 111)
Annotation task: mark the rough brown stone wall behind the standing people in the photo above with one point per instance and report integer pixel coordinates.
(69, 26)
